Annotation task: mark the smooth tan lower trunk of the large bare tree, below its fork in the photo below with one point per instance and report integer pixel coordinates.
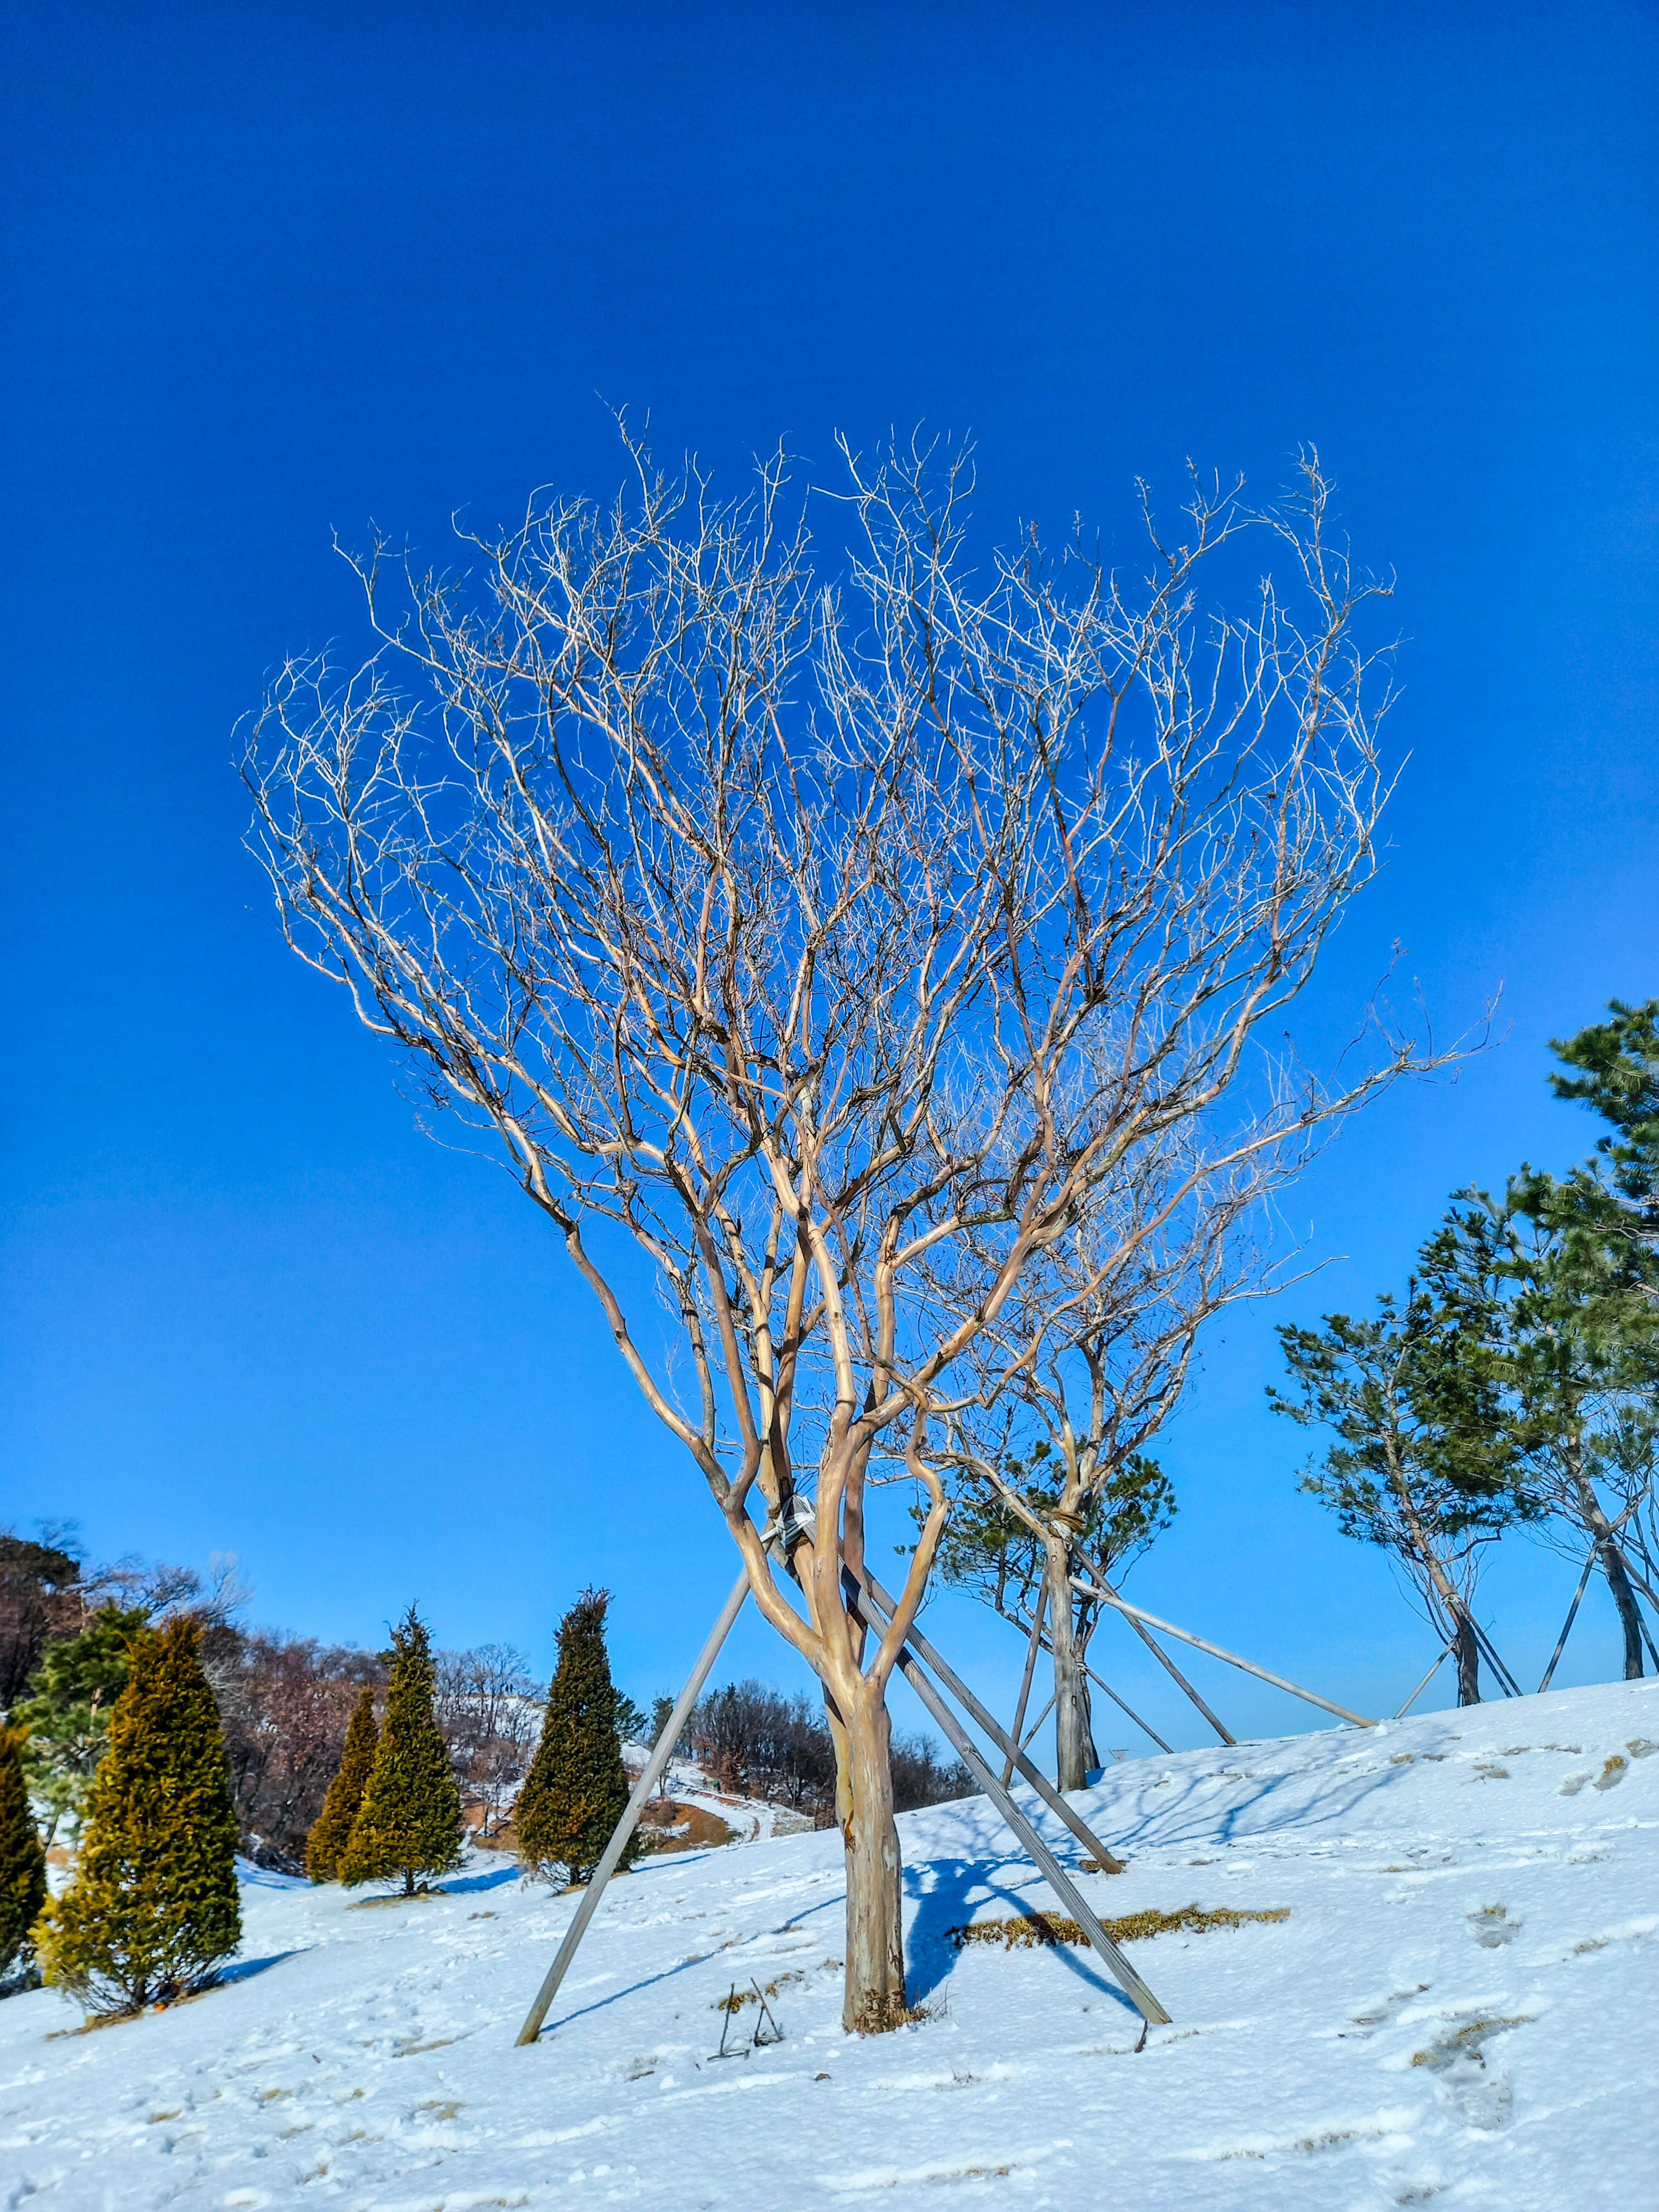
(875, 1987)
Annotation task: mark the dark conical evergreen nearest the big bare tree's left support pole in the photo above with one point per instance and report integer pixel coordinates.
(576, 1788)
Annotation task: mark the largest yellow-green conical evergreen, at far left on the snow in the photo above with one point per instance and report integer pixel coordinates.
(154, 1903)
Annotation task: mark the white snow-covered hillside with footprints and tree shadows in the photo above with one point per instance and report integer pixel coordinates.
(1459, 2010)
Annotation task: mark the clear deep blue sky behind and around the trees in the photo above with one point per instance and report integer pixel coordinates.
(273, 273)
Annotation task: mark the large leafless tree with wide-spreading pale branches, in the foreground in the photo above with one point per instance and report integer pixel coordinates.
(831, 941)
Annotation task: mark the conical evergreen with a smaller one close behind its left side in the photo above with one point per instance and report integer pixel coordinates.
(410, 1815)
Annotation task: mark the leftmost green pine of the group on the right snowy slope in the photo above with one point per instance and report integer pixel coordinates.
(1423, 1459)
